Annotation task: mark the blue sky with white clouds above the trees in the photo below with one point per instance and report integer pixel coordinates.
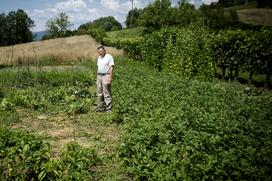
(78, 11)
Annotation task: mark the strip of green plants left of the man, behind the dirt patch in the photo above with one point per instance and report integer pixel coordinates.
(58, 91)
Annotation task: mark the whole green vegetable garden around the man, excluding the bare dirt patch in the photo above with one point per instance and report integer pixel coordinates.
(172, 128)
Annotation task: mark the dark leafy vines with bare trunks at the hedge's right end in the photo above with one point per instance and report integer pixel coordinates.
(239, 51)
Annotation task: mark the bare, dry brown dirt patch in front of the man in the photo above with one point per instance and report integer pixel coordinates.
(60, 129)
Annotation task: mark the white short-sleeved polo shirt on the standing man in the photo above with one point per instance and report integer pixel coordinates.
(104, 63)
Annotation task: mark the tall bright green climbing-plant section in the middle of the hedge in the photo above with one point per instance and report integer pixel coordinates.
(188, 54)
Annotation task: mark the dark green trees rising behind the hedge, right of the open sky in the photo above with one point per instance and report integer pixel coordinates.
(216, 16)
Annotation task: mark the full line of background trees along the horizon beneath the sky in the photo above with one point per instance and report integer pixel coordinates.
(15, 26)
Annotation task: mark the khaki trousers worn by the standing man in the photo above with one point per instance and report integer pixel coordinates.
(104, 92)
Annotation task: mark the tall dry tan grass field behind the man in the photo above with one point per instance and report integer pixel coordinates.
(56, 51)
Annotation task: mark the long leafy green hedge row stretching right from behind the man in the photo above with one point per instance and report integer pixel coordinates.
(197, 52)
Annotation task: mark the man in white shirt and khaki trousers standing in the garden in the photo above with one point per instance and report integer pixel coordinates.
(105, 65)
